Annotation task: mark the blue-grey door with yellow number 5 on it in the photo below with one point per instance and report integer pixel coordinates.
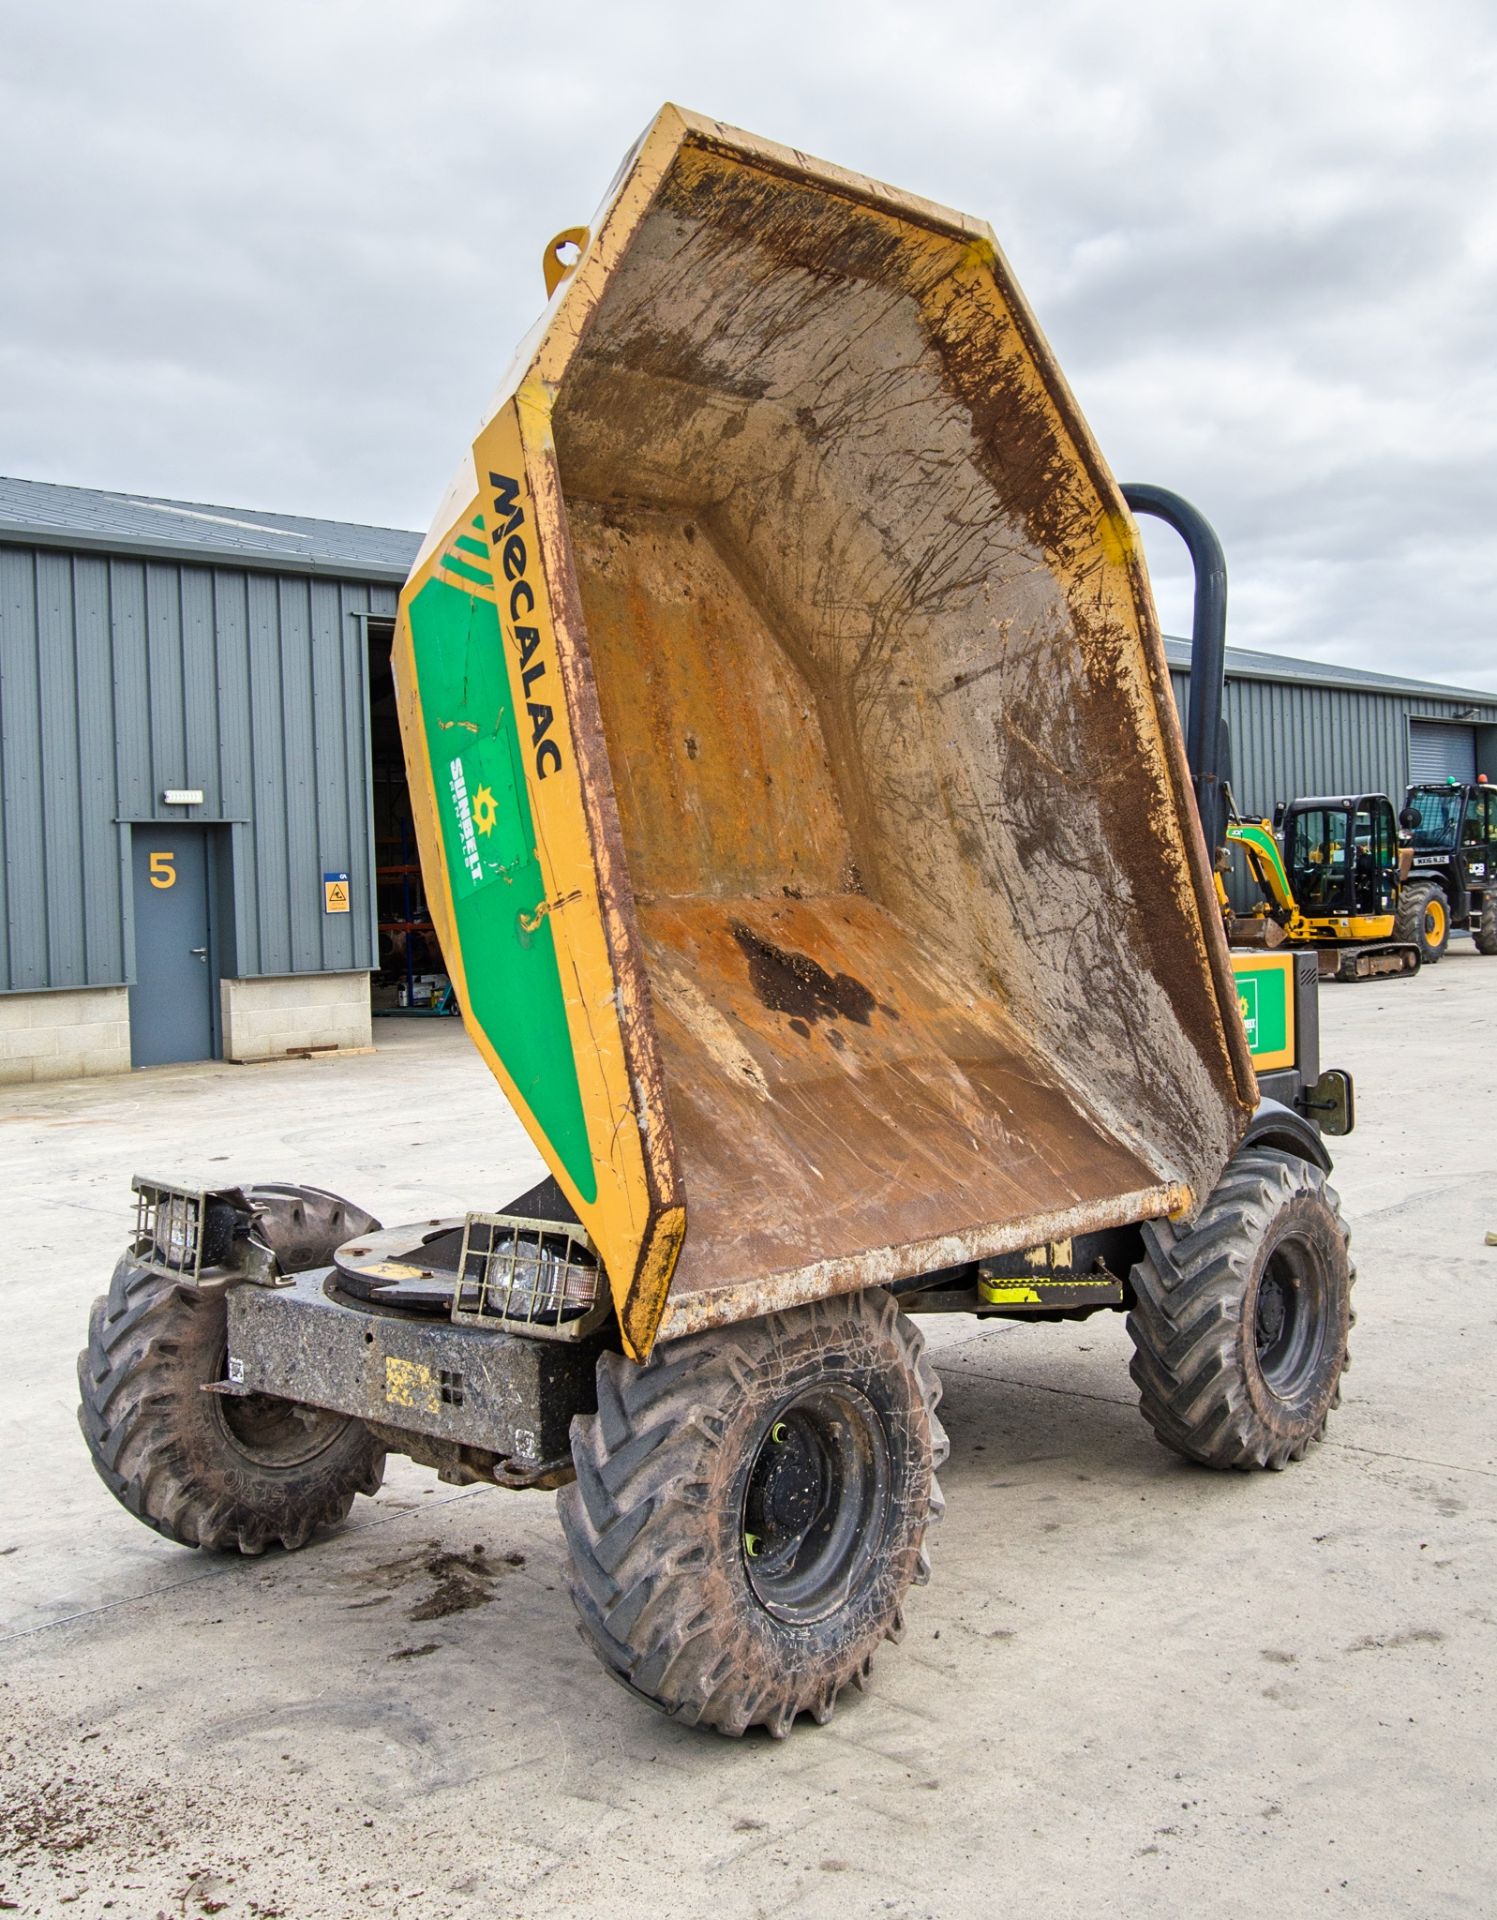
(176, 978)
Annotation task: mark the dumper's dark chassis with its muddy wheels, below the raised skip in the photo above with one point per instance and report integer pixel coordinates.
(748, 1512)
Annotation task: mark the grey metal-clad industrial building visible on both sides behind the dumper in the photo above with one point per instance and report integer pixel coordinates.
(204, 827)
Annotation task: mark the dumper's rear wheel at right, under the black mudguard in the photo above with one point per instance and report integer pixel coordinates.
(1241, 1324)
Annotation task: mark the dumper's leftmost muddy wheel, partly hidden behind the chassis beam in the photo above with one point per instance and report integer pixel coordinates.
(206, 1470)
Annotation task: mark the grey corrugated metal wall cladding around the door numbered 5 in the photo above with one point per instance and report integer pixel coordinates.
(128, 675)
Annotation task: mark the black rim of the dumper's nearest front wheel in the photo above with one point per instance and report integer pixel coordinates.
(817, 1504)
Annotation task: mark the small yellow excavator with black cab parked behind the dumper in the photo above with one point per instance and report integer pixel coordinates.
(1329, 873)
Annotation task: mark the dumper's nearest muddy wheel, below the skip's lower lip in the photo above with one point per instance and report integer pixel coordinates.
(751, 1508)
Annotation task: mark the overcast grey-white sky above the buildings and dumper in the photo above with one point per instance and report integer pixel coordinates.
(277, 252)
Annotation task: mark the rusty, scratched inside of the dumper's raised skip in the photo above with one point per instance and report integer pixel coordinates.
(884, 713)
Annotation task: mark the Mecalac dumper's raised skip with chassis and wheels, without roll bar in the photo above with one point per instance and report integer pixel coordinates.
(815, 857)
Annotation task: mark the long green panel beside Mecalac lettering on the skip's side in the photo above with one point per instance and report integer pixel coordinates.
(488, 836)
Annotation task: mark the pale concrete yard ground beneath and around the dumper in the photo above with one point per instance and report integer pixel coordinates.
(1131, 1685)
